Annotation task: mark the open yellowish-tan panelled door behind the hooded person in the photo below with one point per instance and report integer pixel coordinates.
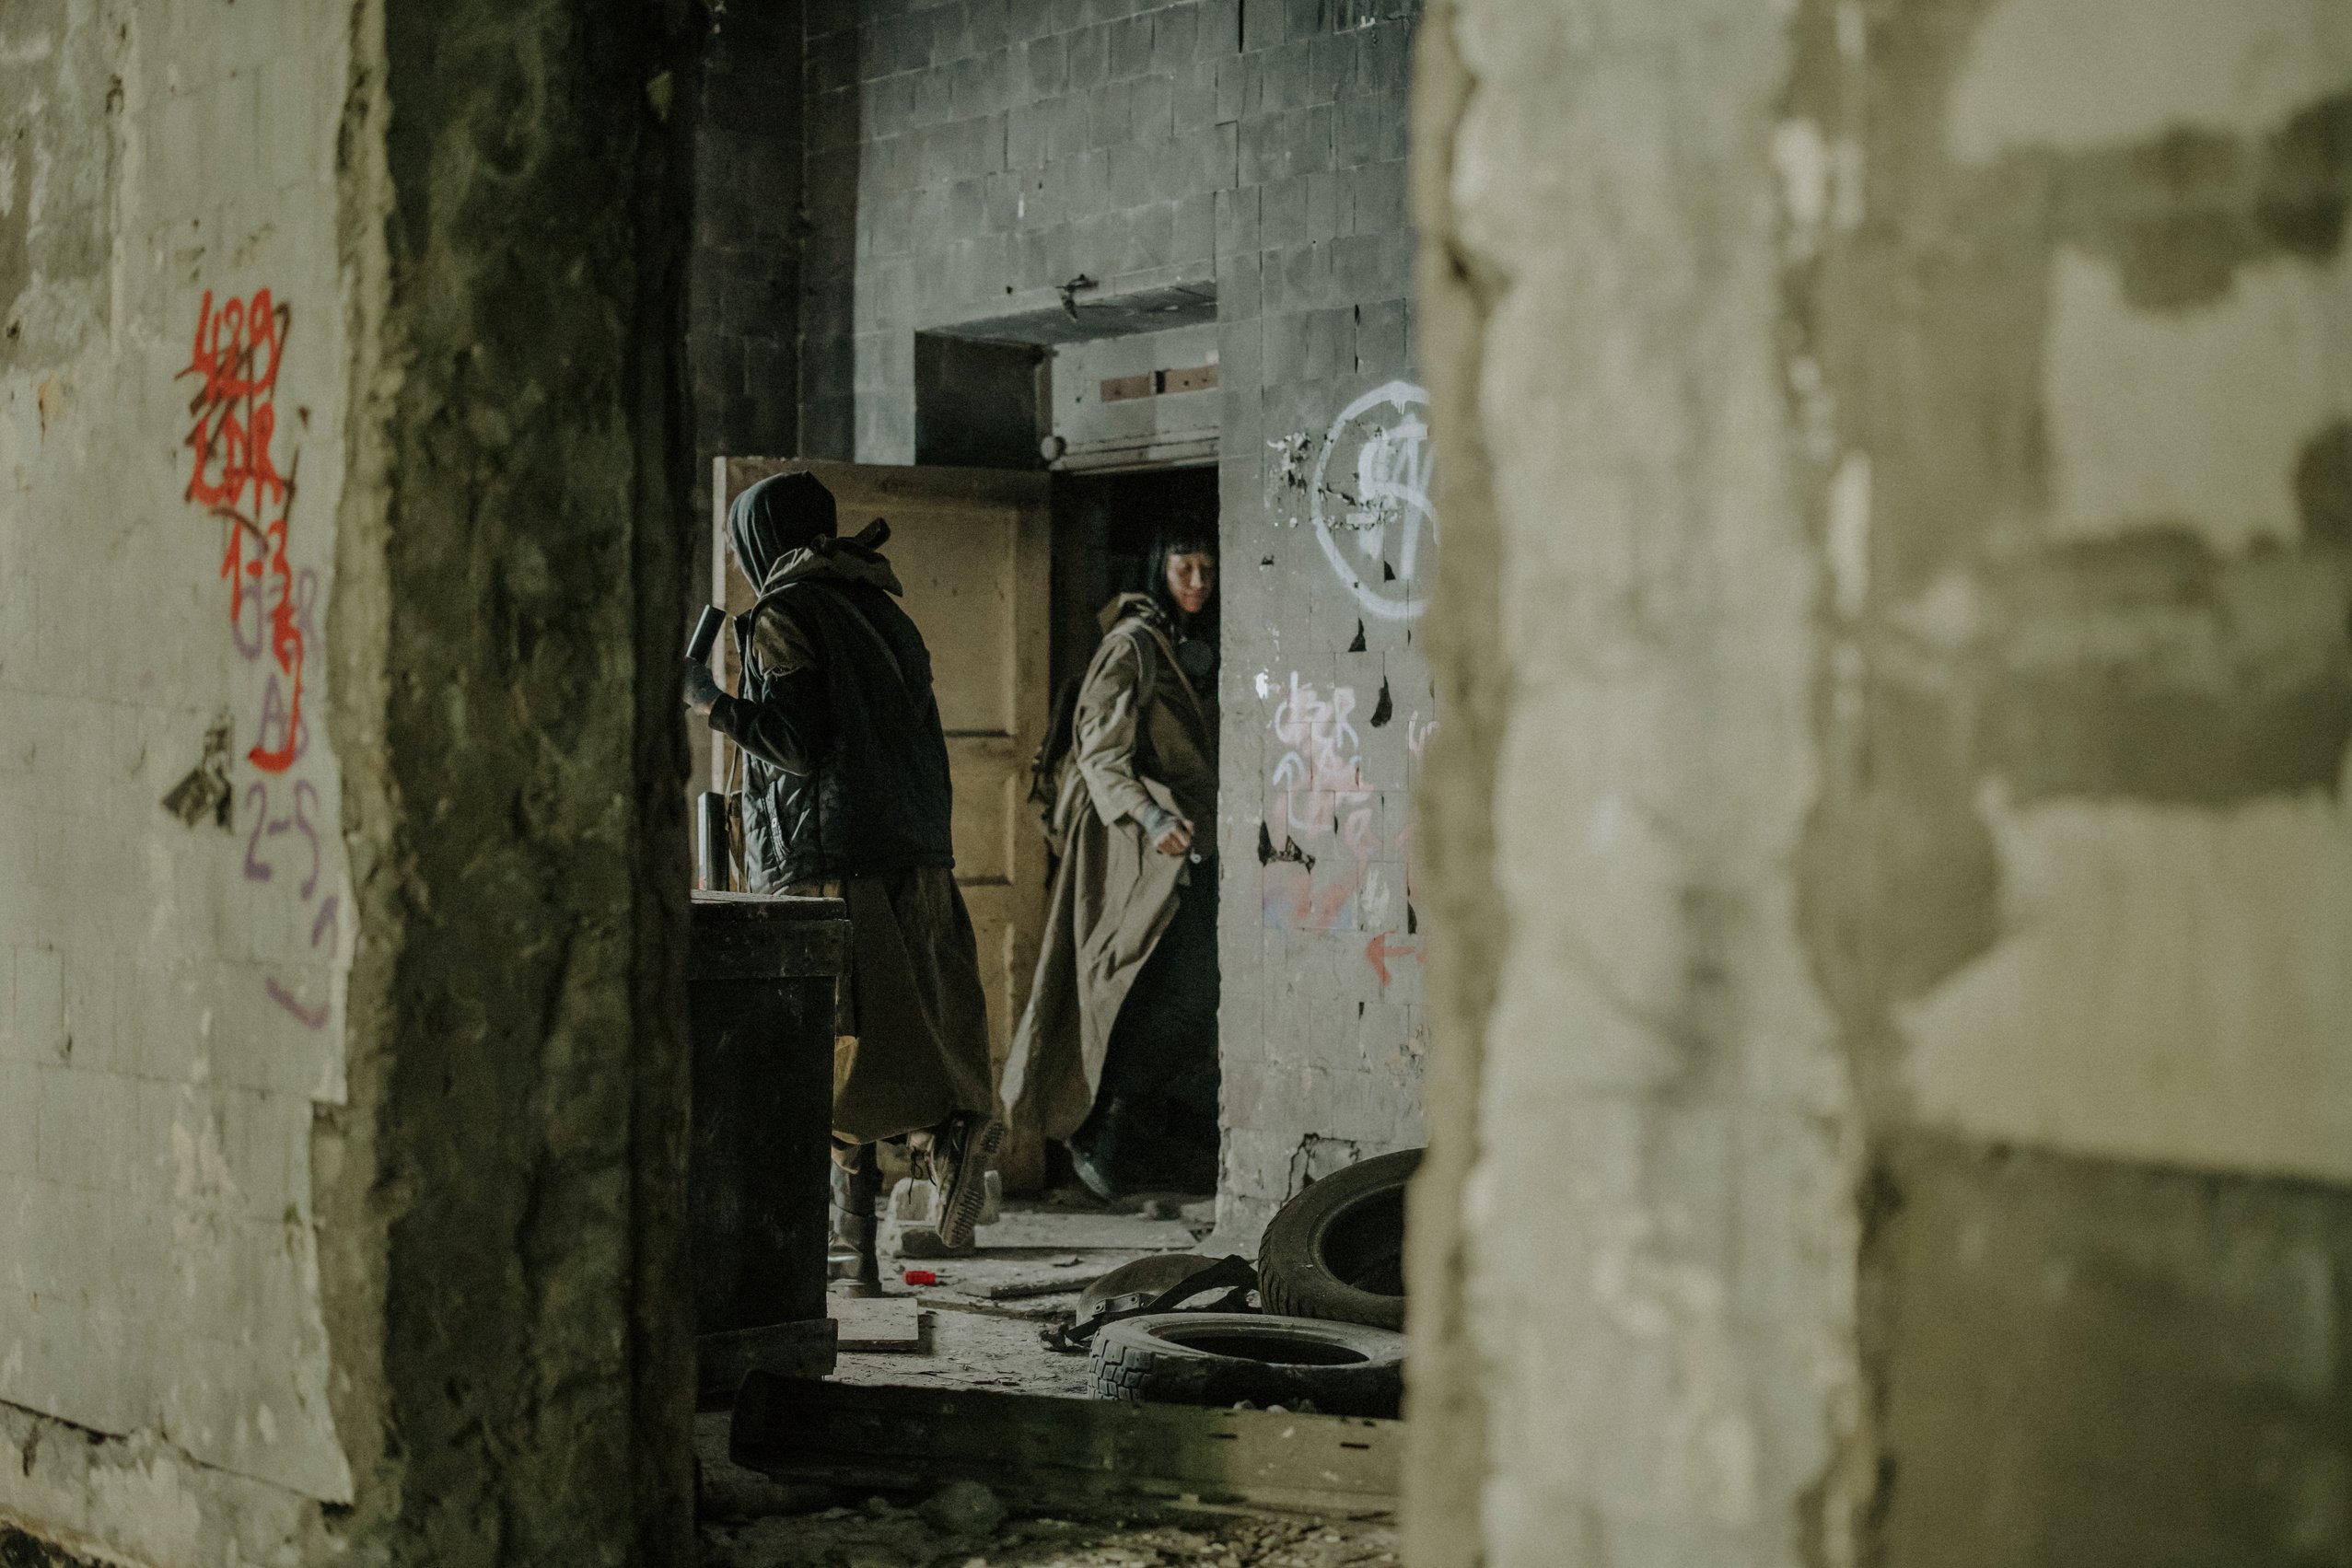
(973, 549)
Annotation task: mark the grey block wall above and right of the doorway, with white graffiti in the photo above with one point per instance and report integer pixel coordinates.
(970, 159)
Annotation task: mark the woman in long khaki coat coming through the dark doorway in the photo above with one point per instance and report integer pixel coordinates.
(1116, 1052)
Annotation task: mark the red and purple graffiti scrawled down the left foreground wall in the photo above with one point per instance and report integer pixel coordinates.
(236, 478)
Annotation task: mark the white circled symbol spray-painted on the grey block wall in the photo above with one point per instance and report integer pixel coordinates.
(1372, 500)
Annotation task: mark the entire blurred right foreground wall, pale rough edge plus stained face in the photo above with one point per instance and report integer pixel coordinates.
(1895, 1040)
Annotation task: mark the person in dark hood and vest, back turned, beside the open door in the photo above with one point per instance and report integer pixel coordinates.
(846, 796)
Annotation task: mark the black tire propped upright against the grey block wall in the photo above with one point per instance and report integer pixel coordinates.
(1337, 1249)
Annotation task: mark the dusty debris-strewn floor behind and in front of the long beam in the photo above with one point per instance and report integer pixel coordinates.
(991, 1343)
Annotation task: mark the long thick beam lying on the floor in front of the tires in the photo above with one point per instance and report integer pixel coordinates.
(1062, 1452)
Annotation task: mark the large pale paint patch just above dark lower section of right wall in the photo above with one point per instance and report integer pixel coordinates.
(2170, 986)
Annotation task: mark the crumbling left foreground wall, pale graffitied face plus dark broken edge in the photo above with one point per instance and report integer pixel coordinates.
(340, 862)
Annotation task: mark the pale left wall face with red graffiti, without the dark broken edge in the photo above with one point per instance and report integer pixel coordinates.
(175, 904)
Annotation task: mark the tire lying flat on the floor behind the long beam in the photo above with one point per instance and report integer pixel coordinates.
(1248, 1358)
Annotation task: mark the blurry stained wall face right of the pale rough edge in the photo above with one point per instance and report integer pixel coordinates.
(2076, 283)
